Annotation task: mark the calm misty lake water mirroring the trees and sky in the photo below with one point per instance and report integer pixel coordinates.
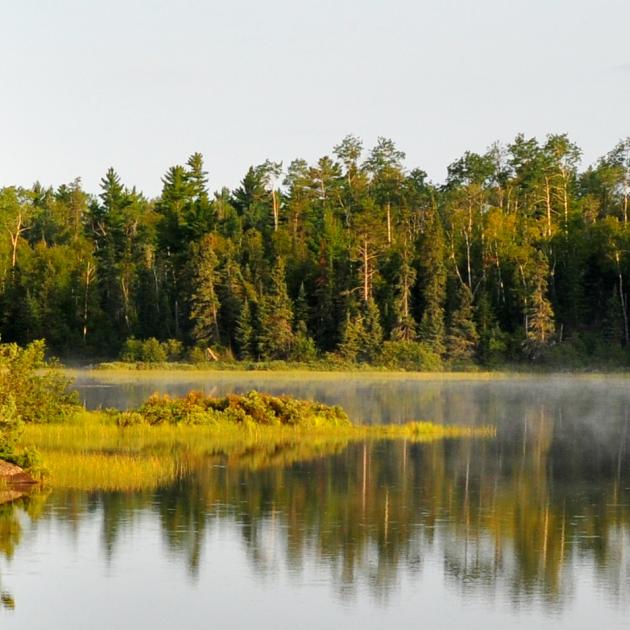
(528, 530)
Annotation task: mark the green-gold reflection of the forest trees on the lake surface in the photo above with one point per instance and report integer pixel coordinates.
(522, 515)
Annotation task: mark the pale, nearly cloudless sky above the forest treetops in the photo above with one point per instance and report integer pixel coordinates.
(141, 84)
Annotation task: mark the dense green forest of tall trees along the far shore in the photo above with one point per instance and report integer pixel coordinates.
(519, 255)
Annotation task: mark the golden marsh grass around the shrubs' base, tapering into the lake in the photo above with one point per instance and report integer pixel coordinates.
(92, 453)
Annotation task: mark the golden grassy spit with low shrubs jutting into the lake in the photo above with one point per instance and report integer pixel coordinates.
(168, 437)
